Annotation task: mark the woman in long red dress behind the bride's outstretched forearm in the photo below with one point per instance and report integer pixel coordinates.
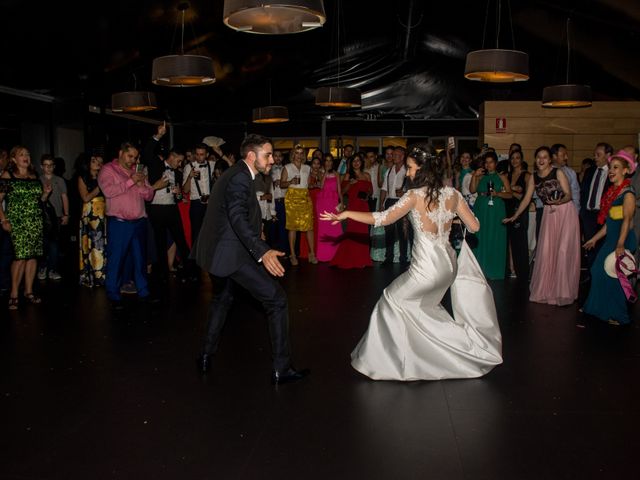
(353, 251)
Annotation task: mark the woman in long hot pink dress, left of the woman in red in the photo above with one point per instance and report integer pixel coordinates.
(328, 199)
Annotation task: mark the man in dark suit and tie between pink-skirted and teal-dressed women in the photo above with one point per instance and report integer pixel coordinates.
(594, 184)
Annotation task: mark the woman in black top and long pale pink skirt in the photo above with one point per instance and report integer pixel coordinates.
(556, 271)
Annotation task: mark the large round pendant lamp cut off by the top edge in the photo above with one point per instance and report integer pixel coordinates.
(273, 17)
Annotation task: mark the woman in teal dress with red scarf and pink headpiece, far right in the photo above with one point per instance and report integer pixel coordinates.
(606, 299)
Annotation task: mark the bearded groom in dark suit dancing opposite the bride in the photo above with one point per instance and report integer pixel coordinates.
(230, 248)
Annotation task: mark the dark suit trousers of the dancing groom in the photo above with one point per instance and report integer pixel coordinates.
(253, 277)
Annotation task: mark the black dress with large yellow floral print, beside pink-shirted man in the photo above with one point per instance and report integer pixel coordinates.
(93, 238)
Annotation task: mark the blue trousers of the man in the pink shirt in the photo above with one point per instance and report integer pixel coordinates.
(126, 237)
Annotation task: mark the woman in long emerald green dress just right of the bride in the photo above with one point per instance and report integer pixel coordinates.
(492, 189)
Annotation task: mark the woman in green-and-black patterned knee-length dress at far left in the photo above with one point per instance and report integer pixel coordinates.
(22, 219)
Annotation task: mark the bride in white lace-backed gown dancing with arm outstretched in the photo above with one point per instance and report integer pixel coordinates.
(411, 336)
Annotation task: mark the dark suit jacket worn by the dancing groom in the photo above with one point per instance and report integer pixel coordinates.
(230, 234)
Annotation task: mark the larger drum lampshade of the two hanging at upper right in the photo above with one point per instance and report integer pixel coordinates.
(497, 65)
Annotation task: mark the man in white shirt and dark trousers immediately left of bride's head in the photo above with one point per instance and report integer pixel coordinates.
(390, 193)
